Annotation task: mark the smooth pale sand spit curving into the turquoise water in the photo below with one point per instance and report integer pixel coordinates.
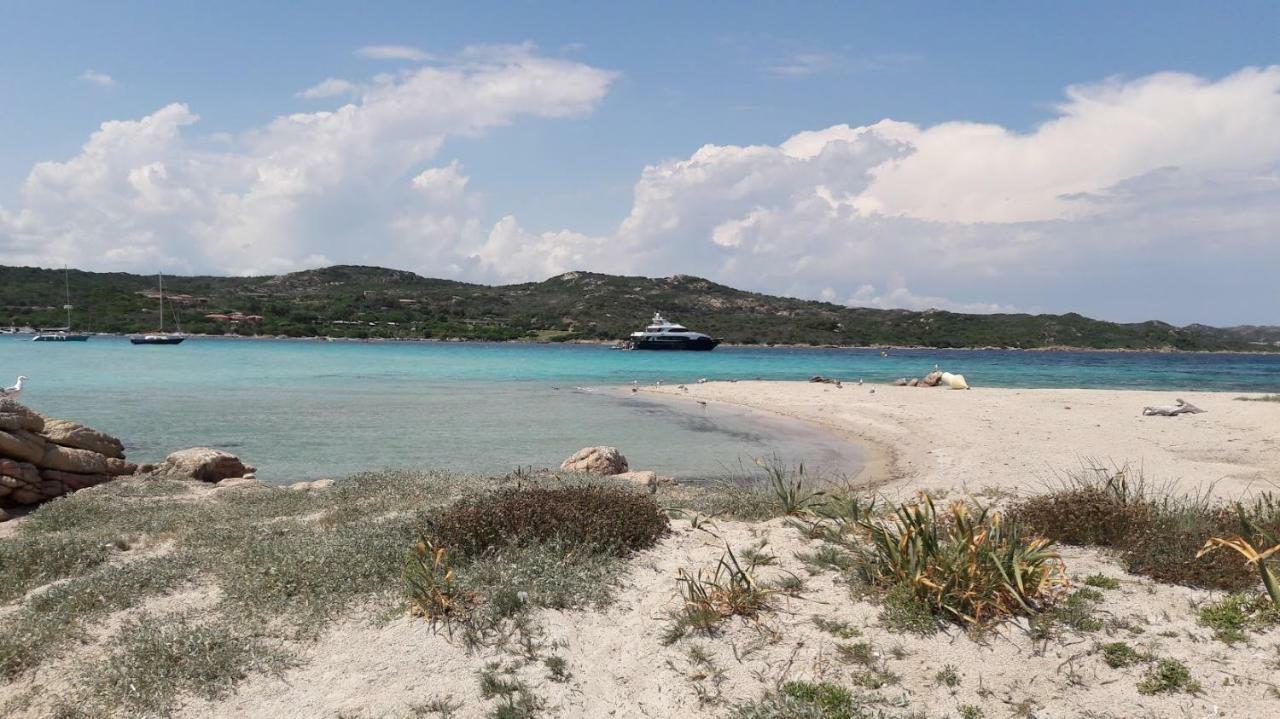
(1018, 439)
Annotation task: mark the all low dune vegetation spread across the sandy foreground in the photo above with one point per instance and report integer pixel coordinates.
(258, 574)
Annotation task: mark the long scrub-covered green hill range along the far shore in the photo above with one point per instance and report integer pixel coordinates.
(374, 303)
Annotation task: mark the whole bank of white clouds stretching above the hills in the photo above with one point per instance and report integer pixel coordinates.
(1133, 182)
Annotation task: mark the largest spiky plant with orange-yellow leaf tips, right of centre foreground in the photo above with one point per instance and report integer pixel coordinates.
(968, 565)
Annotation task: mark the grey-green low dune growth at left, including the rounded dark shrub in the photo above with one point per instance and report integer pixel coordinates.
(277, 567)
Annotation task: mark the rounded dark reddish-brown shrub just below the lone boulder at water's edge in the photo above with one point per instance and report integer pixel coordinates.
(604, 520)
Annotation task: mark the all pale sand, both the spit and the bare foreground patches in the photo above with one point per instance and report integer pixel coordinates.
(984, 442)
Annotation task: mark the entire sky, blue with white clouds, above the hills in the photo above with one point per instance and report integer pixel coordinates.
(1118, 161)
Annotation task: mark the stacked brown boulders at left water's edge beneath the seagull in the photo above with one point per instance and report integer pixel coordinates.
(43, 459)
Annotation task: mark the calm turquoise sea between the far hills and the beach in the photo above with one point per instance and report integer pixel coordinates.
(307, 410)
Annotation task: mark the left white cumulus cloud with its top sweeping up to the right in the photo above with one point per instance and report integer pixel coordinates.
(305, 189)
